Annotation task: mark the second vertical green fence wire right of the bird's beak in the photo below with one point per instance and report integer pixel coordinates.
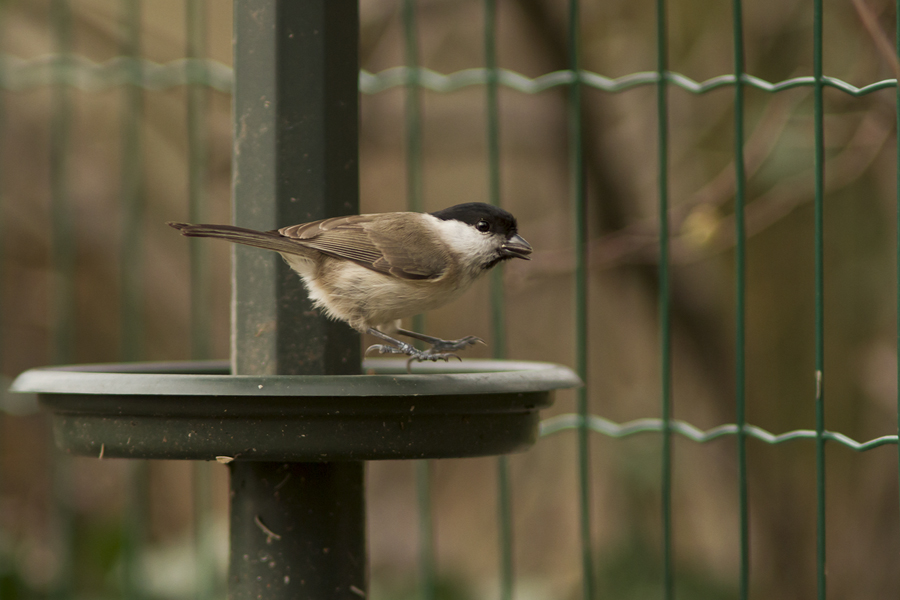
(664, 302)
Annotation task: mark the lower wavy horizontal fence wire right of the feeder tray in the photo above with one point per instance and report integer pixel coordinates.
(651, 425)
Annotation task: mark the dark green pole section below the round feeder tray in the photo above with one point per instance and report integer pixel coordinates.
(297, 531)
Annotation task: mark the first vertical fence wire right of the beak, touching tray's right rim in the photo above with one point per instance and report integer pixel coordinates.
(579, 208)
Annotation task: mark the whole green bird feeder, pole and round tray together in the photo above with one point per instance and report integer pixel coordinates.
(295, 413)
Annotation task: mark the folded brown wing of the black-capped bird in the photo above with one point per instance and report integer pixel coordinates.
(390, 243)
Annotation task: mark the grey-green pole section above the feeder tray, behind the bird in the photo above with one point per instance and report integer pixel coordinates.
(295, 160)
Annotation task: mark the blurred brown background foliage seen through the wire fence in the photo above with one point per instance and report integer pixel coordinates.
(73, 525)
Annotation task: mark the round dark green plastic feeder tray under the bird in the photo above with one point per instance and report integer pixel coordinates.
(197, 411)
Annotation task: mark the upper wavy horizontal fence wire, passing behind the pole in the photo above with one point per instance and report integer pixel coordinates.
(17, 74)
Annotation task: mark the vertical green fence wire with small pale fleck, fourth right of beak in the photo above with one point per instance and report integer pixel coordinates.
(819, 164)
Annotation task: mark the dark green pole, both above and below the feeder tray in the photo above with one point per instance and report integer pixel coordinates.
(297, 529)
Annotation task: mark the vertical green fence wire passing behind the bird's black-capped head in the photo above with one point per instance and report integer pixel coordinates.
(498, 317)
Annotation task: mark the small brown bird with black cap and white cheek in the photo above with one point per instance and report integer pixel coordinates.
(372, 270)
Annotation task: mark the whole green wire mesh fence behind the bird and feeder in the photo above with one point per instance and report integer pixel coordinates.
(136, 76)
